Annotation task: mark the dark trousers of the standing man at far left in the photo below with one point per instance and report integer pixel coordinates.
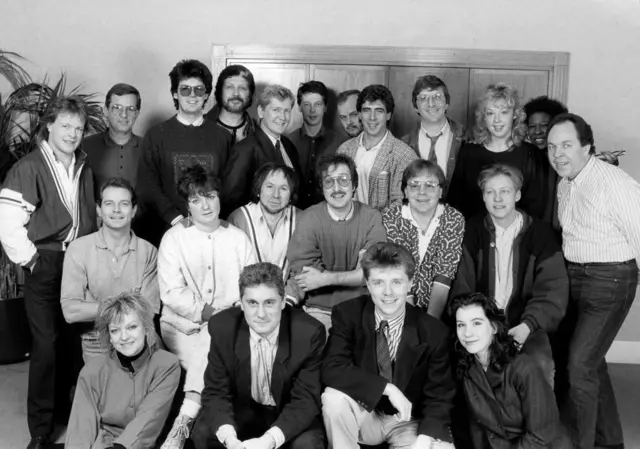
(52, 353)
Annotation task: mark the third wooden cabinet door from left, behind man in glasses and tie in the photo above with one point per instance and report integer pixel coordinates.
(401, 81)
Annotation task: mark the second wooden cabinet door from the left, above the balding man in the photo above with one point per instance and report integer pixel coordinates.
(339, 77)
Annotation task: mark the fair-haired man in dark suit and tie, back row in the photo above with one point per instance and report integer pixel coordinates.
(267, 144)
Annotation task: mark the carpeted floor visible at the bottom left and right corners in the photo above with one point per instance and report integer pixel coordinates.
(14, 433)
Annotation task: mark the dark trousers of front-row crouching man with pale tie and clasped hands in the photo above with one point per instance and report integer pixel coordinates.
(253, 421)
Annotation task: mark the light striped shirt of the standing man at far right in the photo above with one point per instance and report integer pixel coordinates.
(599, 211)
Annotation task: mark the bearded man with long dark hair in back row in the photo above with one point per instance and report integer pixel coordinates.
(234, 95)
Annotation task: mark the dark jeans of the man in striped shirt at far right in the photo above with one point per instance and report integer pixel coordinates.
(602, 295)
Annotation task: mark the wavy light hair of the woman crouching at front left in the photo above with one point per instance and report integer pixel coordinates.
(114, 308)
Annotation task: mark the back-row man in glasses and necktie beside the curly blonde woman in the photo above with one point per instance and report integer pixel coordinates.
(437, 138)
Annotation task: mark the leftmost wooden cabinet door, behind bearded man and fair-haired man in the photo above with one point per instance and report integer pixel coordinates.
(288, 75)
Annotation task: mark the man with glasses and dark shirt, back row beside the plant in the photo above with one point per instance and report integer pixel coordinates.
(115, 153)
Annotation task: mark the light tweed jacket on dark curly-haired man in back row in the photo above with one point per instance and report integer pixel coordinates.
(385, 178)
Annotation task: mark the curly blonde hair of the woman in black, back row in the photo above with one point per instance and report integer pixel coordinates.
(508, 94)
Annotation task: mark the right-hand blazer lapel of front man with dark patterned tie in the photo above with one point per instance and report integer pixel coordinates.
(410, 349)
